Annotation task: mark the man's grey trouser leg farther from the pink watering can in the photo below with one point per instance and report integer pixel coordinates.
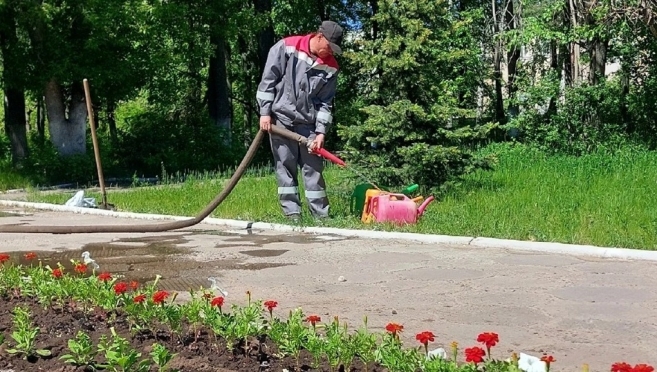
(286, 157)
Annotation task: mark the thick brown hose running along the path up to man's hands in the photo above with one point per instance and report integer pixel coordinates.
(159, 227)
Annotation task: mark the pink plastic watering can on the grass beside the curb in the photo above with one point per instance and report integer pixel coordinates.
(397, 208)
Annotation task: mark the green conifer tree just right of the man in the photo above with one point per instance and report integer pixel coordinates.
(418, 80)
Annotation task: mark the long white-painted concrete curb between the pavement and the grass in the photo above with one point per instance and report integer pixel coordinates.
(480, 242)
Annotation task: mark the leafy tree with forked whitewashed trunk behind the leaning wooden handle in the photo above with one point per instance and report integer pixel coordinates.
(65, 43)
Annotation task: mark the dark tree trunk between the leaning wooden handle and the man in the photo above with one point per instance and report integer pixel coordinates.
(219, 88)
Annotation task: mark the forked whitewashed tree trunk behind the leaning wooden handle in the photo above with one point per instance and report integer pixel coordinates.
(67, 134)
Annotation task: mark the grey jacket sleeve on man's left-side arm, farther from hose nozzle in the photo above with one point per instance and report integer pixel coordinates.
(271, 75)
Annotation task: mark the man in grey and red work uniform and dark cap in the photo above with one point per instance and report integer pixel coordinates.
(296, 92)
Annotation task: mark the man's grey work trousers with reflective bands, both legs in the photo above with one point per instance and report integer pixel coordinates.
(288, 155)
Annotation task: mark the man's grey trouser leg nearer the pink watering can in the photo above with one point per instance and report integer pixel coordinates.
(314, 184)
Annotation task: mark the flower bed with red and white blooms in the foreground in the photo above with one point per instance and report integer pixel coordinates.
(72, 319)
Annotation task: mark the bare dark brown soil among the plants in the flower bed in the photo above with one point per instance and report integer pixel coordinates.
(57, 326)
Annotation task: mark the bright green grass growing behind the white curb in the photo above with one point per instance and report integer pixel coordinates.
(601, 199)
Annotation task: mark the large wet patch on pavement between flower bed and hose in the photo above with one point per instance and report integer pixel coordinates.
(141, 259)
